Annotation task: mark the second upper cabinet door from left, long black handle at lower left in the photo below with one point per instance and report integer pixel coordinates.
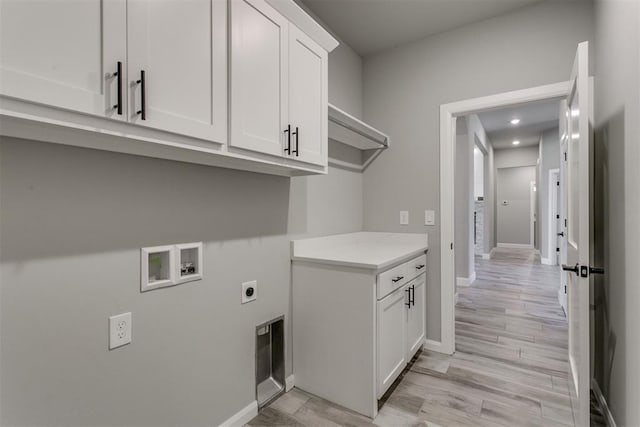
(180, 45)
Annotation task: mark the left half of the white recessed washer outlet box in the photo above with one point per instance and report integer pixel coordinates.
(157, 267)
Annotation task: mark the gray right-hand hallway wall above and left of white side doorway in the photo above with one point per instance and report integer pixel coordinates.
(550, 159)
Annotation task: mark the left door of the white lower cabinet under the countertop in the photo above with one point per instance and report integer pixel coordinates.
(391, 338)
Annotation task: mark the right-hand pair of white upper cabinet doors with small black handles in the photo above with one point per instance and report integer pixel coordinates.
(278, 86)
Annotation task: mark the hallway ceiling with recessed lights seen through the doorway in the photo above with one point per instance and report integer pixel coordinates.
(535, 117)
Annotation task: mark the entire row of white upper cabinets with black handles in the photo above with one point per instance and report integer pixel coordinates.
(151, 78)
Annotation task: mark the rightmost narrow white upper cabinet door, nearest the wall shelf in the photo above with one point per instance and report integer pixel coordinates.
(308, 111)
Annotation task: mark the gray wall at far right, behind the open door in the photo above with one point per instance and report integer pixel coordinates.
(617, 202)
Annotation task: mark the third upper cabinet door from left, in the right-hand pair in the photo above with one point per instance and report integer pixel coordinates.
(259, 109)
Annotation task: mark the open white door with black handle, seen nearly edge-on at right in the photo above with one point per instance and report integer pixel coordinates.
(579, 236)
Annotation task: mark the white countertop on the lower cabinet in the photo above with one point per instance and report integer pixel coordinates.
(371, 250)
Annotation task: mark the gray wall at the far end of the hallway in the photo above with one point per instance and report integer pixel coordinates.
(514, 221)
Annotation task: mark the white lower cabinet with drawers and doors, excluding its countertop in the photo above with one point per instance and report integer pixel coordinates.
(355, 329)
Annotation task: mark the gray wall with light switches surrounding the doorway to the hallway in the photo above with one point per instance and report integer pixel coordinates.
(404, 87)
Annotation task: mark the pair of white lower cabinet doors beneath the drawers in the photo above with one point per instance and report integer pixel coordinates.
(400, 330)
